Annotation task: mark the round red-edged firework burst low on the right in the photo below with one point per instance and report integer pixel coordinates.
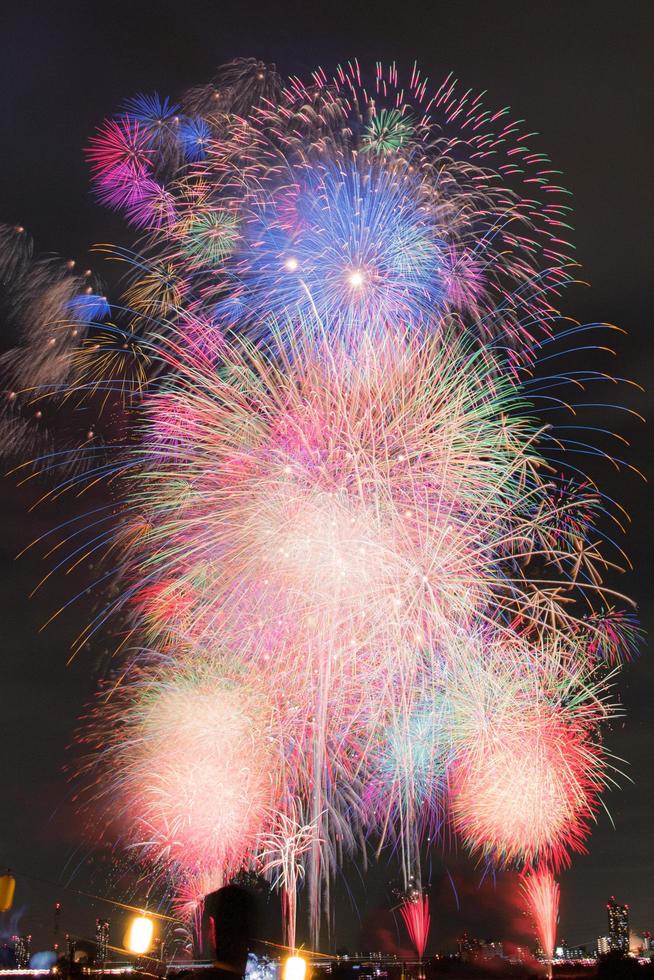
(527, 781)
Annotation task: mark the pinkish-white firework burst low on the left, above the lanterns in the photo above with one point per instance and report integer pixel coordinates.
(191, 756)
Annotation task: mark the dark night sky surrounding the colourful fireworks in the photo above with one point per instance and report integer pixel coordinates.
(580, 73)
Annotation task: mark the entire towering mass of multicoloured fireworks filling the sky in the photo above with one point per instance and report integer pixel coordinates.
(366, 599)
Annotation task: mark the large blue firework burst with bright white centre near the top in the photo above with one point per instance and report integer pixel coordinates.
(350, 243)
